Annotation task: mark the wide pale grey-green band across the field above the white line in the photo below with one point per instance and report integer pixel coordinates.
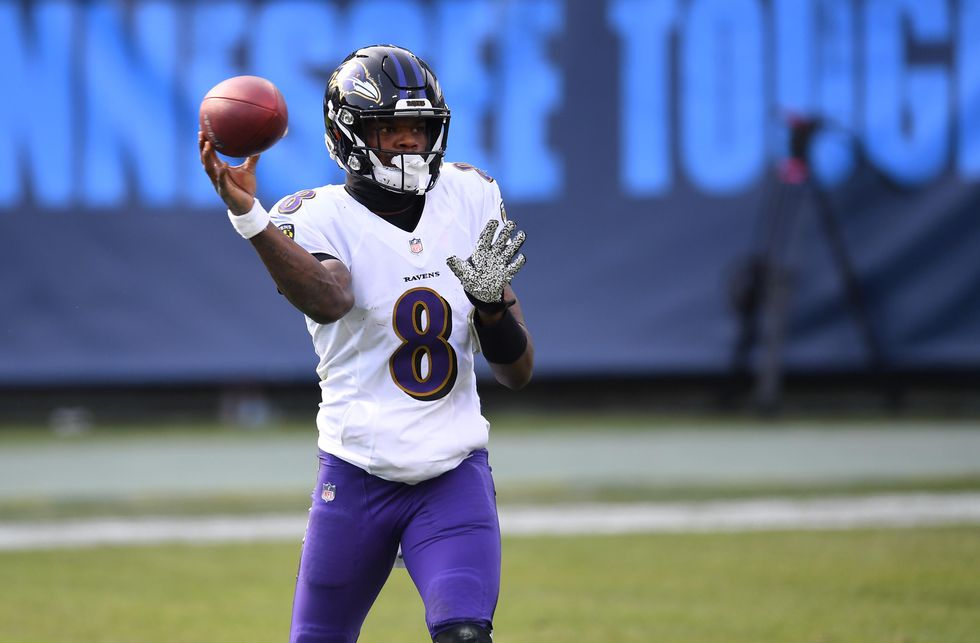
(710, 452)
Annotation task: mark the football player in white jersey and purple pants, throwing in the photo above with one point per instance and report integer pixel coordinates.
(403, 274)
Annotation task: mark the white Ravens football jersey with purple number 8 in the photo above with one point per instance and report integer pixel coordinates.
(396, 372)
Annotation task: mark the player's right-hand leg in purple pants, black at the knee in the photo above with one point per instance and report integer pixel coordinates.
(452, 550)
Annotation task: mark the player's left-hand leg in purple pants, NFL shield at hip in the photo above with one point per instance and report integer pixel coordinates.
(347, 555)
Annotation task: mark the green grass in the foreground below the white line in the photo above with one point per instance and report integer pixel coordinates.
(868, 586)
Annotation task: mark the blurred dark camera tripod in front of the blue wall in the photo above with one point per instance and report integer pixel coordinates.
(762, 287)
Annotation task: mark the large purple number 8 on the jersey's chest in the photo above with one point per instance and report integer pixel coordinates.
(423, 321)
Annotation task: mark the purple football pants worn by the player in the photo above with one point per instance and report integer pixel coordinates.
(449, 535)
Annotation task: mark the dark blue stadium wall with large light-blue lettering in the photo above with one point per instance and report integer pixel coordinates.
(635, 141)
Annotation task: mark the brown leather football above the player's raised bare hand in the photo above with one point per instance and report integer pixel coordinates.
(244, 115)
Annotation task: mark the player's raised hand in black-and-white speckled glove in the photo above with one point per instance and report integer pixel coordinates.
(491, 266)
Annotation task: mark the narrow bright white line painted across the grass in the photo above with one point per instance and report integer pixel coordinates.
(893, 510)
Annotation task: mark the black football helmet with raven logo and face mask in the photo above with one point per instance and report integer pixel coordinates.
(385, 81)
